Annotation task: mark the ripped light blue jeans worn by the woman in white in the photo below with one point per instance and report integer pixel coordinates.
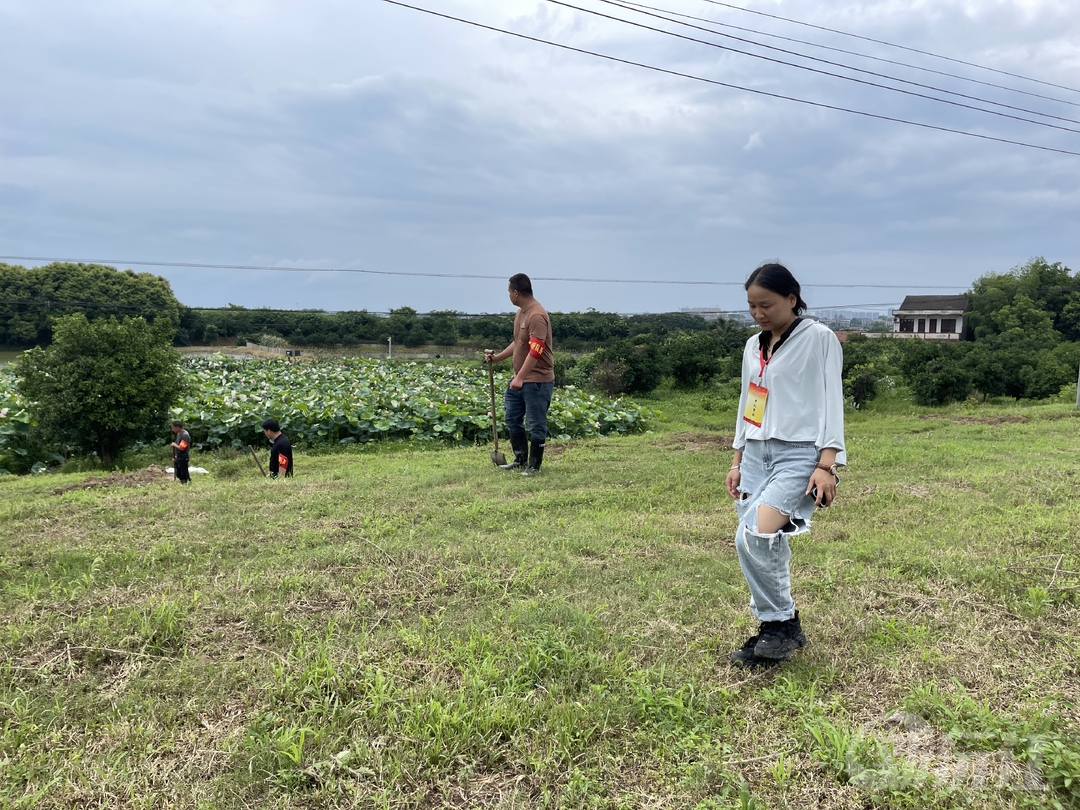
(774, 474)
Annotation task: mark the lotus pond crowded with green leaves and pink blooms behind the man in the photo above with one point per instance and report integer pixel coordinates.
(350, 401)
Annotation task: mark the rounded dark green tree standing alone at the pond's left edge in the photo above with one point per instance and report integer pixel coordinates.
(102, 385)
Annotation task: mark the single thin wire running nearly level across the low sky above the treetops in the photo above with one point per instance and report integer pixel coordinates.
(447, 276)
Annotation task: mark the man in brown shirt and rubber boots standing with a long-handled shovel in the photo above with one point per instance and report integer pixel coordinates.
(529, 397)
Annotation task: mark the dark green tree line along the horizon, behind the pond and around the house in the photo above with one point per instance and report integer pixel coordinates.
(1025, 326)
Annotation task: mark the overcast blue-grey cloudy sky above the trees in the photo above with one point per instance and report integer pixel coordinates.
(360, 136)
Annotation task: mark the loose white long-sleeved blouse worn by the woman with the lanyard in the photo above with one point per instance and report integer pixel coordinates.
(805, 380)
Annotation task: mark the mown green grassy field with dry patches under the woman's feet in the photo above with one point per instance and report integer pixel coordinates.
(409, 629)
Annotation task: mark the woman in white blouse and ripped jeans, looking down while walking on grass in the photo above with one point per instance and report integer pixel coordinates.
(789, 441)
